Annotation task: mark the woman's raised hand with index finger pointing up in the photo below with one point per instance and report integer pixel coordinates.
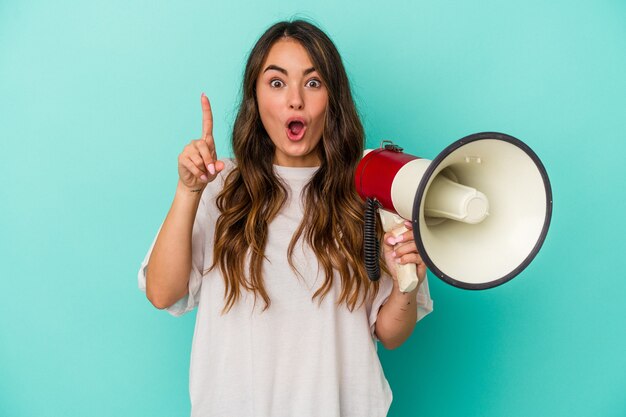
(198, 163)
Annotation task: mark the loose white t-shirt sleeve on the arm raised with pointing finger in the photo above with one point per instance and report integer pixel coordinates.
(198, 245)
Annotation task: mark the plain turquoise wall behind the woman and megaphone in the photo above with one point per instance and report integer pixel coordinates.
(98, 98)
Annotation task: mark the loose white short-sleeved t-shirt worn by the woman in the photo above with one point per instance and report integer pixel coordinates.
(294, 359)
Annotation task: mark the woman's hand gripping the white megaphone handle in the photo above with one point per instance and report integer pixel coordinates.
(402, 250)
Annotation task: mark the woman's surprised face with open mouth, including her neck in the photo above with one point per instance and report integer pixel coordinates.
(292, 103)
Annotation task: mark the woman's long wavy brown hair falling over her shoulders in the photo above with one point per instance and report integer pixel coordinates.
(252, 195)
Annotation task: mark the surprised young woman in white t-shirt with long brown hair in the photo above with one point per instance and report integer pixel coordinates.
(269, 247)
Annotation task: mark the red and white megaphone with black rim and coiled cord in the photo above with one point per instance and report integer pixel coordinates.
(480, 210)
